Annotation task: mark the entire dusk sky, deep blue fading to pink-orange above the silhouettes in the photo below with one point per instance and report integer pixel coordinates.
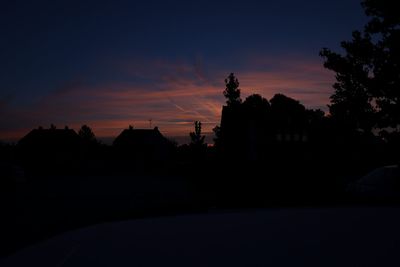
(111, 64)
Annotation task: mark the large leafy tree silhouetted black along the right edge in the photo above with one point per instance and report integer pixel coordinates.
(367, 88)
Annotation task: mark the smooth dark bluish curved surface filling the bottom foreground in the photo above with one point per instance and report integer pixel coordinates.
(353, 236)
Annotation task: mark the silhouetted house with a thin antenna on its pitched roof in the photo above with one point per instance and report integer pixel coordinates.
(143, 144)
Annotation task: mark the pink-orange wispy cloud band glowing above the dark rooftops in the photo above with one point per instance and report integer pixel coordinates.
(172, 95)
